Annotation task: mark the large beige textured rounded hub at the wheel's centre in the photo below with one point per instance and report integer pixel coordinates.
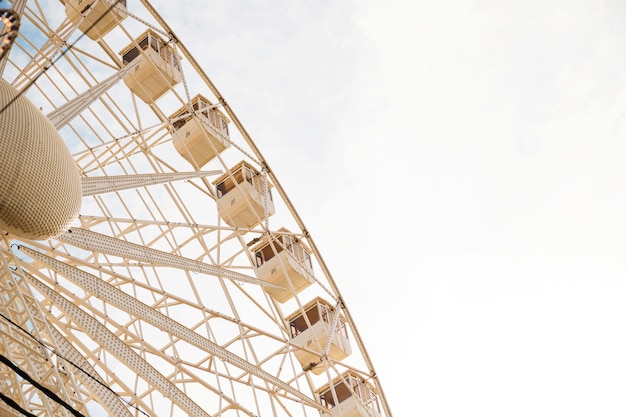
(40, 190)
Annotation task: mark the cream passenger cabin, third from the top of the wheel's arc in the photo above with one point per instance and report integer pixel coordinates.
(201, 135)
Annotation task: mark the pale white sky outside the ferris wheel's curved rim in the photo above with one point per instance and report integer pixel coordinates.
(460, 166)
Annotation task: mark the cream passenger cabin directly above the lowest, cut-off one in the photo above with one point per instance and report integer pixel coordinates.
(313, 330)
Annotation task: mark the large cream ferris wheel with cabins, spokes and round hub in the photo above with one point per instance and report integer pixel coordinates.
(152, 264)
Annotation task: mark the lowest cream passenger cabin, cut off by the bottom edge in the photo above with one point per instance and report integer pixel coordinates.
(349, 396)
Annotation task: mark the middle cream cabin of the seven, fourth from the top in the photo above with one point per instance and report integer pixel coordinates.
(242, 199)
